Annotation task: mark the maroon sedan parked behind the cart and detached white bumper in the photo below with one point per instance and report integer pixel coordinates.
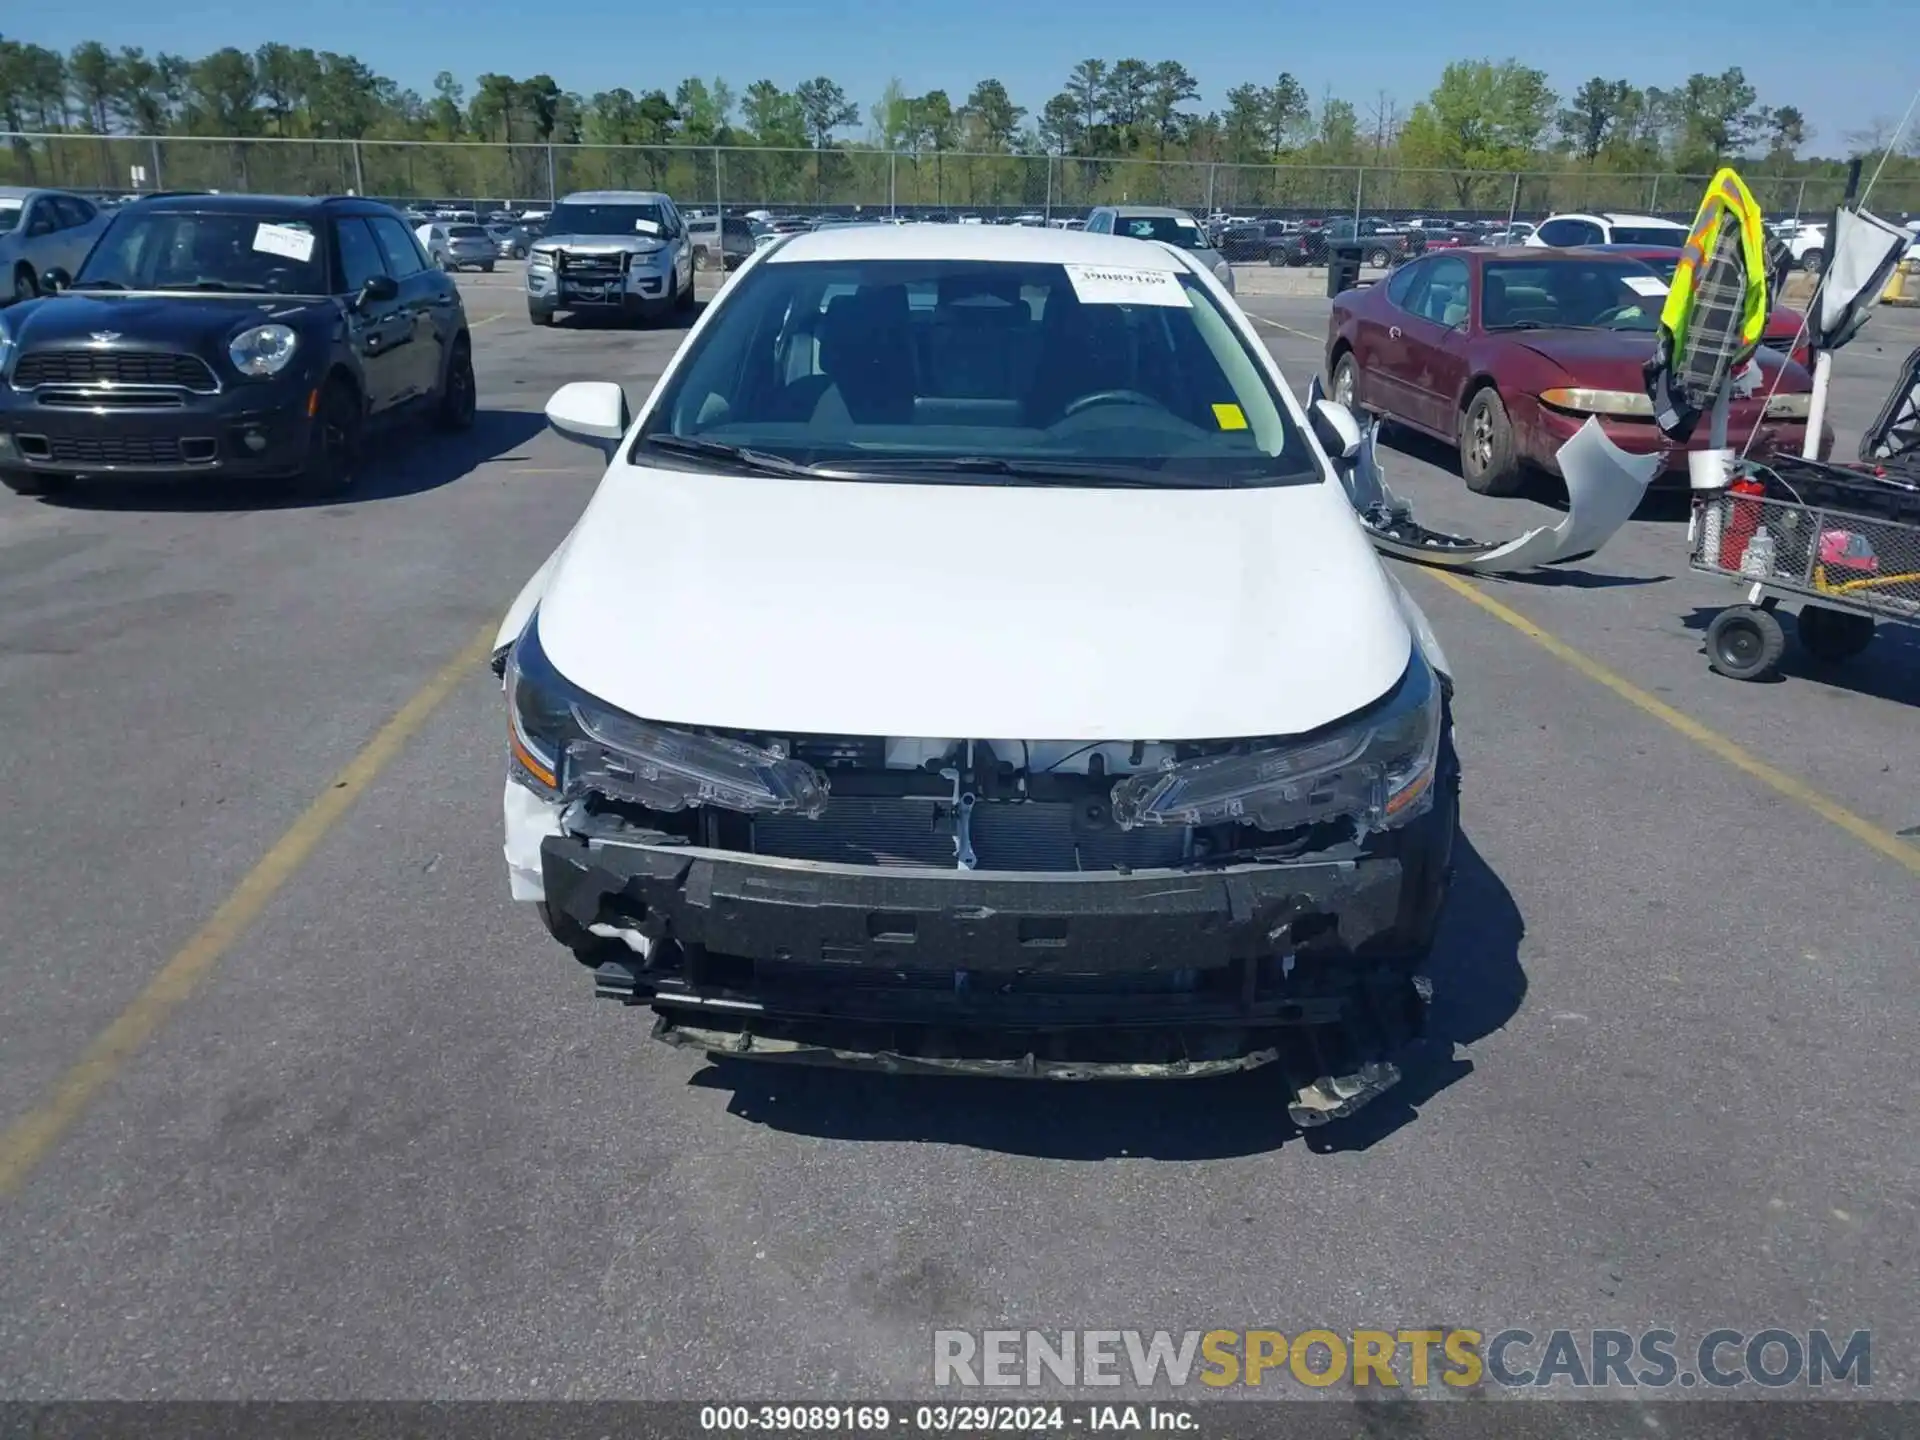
(1508, 352)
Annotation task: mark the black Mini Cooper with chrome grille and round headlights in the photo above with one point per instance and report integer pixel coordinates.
(245, 337)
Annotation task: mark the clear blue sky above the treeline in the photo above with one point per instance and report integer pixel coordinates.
(1827, 70)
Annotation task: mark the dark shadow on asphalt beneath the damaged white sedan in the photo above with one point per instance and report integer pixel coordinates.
(1477, 988)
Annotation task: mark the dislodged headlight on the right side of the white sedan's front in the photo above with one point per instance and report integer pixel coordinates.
(1376, 771)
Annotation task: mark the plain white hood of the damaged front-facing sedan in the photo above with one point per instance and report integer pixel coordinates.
(972, 610)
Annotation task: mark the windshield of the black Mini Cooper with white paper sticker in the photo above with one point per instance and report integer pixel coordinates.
(201, 251)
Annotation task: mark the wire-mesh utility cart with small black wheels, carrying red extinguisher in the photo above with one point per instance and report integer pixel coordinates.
(1842, 542)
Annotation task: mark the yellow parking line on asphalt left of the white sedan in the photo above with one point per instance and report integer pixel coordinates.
(36, 1134)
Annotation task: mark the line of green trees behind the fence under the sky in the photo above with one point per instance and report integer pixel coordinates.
(1483, 118)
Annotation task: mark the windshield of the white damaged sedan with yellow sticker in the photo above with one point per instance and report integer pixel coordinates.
(980, 368)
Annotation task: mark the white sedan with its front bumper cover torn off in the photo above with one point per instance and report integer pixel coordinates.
(971, 663)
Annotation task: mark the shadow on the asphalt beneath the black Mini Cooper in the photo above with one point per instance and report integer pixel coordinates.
(402, 462)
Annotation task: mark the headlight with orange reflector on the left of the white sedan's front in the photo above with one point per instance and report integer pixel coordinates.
(564, 742)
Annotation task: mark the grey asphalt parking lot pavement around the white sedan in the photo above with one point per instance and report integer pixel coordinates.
(358, 1128)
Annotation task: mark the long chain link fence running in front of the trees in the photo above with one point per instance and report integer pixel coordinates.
(516, 176)
